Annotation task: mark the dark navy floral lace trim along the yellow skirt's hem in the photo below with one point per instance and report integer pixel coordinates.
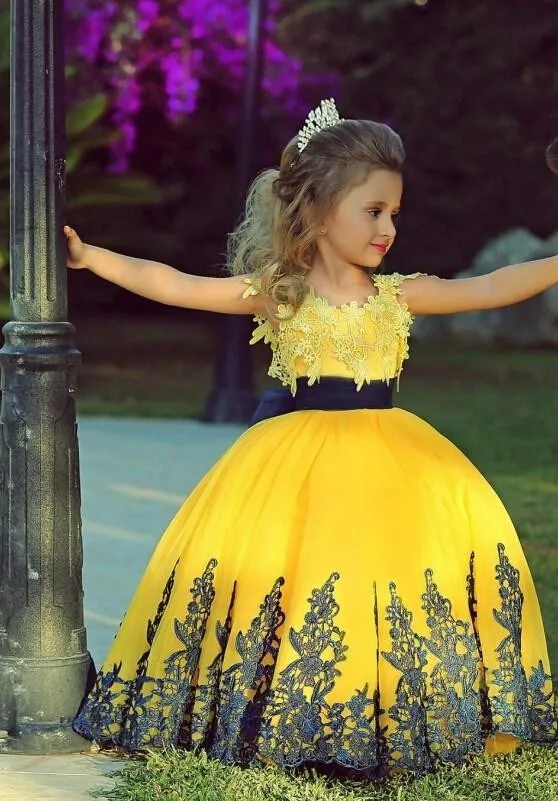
(250, 712)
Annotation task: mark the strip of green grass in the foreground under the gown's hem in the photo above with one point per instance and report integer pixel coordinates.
(530, 775)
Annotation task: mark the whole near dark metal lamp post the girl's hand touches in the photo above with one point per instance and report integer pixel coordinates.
(44, 663)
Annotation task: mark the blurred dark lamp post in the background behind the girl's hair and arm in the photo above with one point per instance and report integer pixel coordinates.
(232, 398)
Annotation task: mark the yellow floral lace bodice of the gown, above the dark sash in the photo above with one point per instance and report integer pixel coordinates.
(367, 341)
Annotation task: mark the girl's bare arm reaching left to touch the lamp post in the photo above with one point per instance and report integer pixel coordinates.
(162, 283)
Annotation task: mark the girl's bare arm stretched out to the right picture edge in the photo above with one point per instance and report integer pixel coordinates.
(503, 287)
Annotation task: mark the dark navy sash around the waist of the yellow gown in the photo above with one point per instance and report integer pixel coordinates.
(330, 394)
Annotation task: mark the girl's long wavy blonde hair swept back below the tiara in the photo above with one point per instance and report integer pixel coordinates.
(276, 238)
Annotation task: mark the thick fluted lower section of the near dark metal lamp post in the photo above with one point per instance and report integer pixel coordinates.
(45, 667)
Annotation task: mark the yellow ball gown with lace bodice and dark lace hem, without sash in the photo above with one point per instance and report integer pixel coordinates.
(342, 588)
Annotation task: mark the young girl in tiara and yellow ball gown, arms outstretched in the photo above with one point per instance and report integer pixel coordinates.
(343, 587)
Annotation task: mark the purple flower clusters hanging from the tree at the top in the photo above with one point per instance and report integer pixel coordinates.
(160, 51)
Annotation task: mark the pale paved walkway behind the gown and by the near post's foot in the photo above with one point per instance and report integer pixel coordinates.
(134, 474)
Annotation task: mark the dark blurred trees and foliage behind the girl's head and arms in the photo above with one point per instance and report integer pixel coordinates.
(471, 87)
